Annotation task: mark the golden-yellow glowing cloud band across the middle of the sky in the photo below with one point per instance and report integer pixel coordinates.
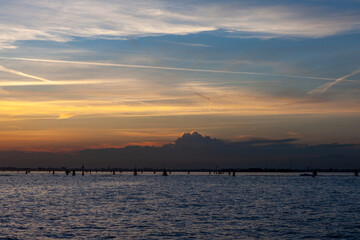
(139, 98)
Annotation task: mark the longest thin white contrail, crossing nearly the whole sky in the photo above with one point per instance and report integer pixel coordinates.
(163, 68)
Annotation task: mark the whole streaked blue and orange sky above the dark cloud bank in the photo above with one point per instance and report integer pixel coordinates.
(91, 74)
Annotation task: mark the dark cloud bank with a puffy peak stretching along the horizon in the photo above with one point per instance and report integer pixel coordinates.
(195, 151)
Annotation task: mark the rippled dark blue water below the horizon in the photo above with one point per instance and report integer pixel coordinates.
(180, 206)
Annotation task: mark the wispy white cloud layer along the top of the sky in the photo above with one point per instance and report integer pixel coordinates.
(63, 20)
